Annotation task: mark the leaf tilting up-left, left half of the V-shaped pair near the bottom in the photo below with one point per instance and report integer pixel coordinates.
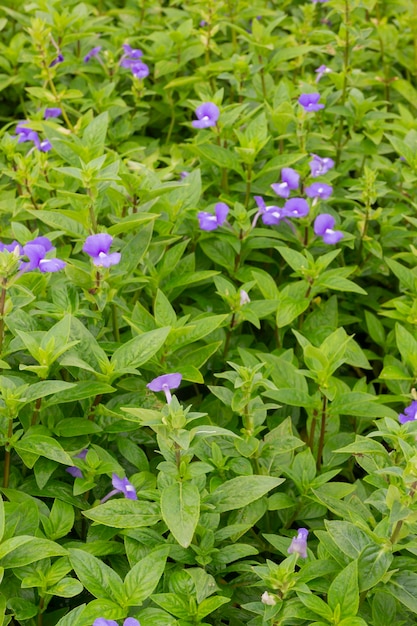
(100, 579)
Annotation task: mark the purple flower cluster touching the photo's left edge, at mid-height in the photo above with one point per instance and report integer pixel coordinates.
(36, 252)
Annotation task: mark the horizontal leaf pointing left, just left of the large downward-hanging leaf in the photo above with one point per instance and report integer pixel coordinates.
(125, 513)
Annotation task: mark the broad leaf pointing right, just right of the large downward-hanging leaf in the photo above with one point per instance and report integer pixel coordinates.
(241, 491)
